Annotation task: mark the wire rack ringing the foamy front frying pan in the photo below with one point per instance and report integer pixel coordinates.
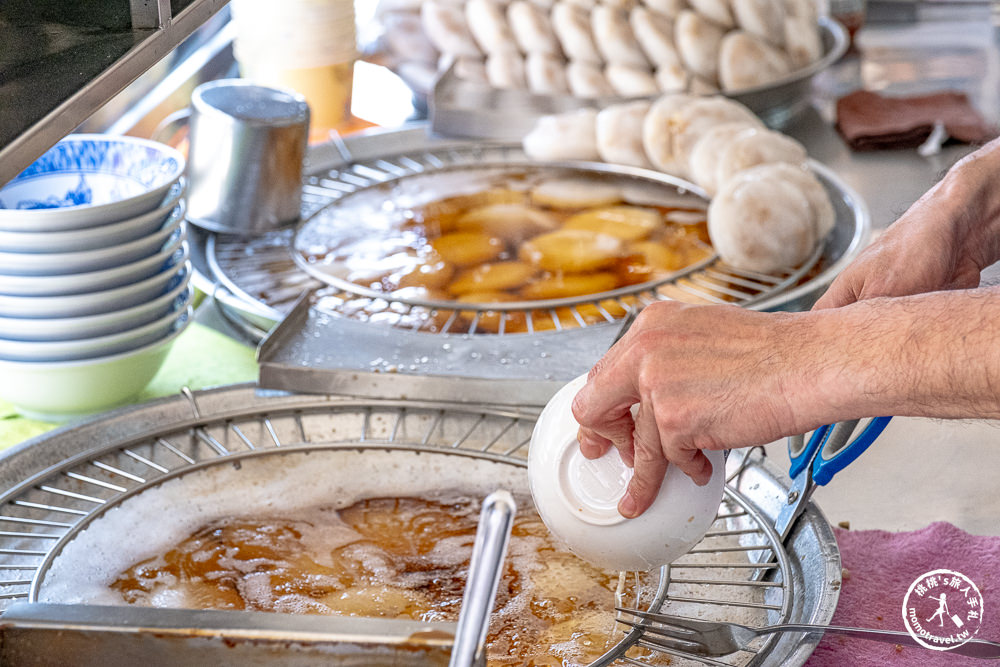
(43, 513)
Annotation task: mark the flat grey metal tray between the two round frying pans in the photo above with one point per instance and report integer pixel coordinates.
(311, 351)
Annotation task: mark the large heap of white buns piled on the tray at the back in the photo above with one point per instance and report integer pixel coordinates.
(609, 48)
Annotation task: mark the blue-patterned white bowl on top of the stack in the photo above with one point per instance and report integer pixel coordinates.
(87, 180)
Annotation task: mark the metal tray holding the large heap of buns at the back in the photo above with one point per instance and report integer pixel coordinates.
(462, 108)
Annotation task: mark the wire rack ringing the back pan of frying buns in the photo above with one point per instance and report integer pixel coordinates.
(261, 270)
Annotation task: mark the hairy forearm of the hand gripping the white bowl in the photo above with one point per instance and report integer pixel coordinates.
(930, 355)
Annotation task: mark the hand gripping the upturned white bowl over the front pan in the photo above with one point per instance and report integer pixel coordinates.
(704, 377)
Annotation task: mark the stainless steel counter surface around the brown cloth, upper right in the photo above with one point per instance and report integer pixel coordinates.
(945, 49)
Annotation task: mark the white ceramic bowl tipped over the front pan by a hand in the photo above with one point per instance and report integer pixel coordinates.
(578, 498)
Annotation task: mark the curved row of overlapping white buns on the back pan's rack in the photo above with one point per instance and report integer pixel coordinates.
(768, 212)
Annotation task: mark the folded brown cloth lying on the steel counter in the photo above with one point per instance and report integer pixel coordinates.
(869, 121)
